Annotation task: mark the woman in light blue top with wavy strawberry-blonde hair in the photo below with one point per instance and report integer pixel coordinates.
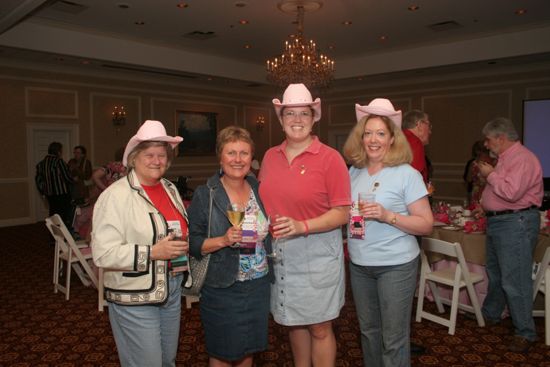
(384, 260)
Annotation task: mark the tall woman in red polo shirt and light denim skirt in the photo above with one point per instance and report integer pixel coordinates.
(306, 191)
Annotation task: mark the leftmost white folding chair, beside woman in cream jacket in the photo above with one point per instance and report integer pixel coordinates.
(75, 255)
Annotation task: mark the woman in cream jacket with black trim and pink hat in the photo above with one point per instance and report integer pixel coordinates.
(139, 227)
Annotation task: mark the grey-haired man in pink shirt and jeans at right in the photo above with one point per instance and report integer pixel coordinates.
(511, 199)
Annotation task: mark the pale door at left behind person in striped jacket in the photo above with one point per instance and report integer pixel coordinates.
(39, 136)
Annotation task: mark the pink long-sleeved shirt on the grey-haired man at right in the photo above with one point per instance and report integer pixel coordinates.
(516, 182)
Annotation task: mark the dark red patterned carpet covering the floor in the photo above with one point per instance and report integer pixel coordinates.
(40, 328)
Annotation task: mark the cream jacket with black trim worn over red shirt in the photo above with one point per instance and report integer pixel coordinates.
(125, 226)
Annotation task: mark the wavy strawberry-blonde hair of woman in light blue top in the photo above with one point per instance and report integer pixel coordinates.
(354, 148)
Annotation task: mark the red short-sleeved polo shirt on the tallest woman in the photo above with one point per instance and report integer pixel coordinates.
(314, 182)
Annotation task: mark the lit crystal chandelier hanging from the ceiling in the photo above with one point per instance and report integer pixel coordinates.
(301, 61)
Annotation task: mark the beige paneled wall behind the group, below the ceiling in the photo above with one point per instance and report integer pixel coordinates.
(458, 105)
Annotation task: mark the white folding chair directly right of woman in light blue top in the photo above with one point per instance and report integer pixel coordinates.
(457, 278)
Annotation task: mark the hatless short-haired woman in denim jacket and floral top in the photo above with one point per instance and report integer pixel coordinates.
(235, 296)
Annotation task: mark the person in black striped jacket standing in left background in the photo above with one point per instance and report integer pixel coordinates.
(54, 181)
